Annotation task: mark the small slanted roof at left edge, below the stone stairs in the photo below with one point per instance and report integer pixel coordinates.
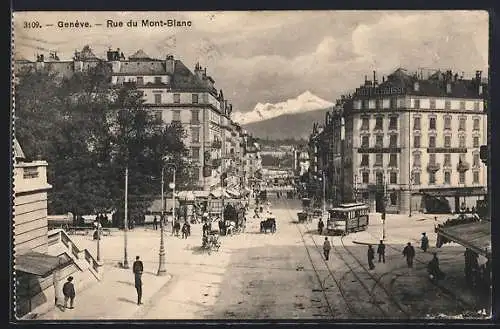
(39, 264)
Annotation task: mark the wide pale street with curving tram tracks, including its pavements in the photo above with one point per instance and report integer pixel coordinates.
(281, 275)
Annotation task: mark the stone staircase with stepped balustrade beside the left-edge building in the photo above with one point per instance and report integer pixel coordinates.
(61, 243)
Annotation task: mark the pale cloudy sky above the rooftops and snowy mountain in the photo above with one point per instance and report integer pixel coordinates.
(269, 57)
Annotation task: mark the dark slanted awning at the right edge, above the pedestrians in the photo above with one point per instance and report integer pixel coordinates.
(475, 236)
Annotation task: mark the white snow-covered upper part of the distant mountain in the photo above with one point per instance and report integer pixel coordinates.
(303, 103)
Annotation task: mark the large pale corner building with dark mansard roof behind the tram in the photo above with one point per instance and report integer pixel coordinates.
(416, 140)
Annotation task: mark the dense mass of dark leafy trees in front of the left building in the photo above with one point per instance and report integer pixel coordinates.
(89, 131)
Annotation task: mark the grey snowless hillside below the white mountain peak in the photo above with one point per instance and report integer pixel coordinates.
(296, 126)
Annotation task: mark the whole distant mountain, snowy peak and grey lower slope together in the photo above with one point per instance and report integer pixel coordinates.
(289, 119)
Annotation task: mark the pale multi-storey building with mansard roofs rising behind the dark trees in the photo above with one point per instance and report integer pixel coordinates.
(173, 93)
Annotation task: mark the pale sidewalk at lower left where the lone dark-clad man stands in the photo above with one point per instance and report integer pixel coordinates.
(114, 297)
